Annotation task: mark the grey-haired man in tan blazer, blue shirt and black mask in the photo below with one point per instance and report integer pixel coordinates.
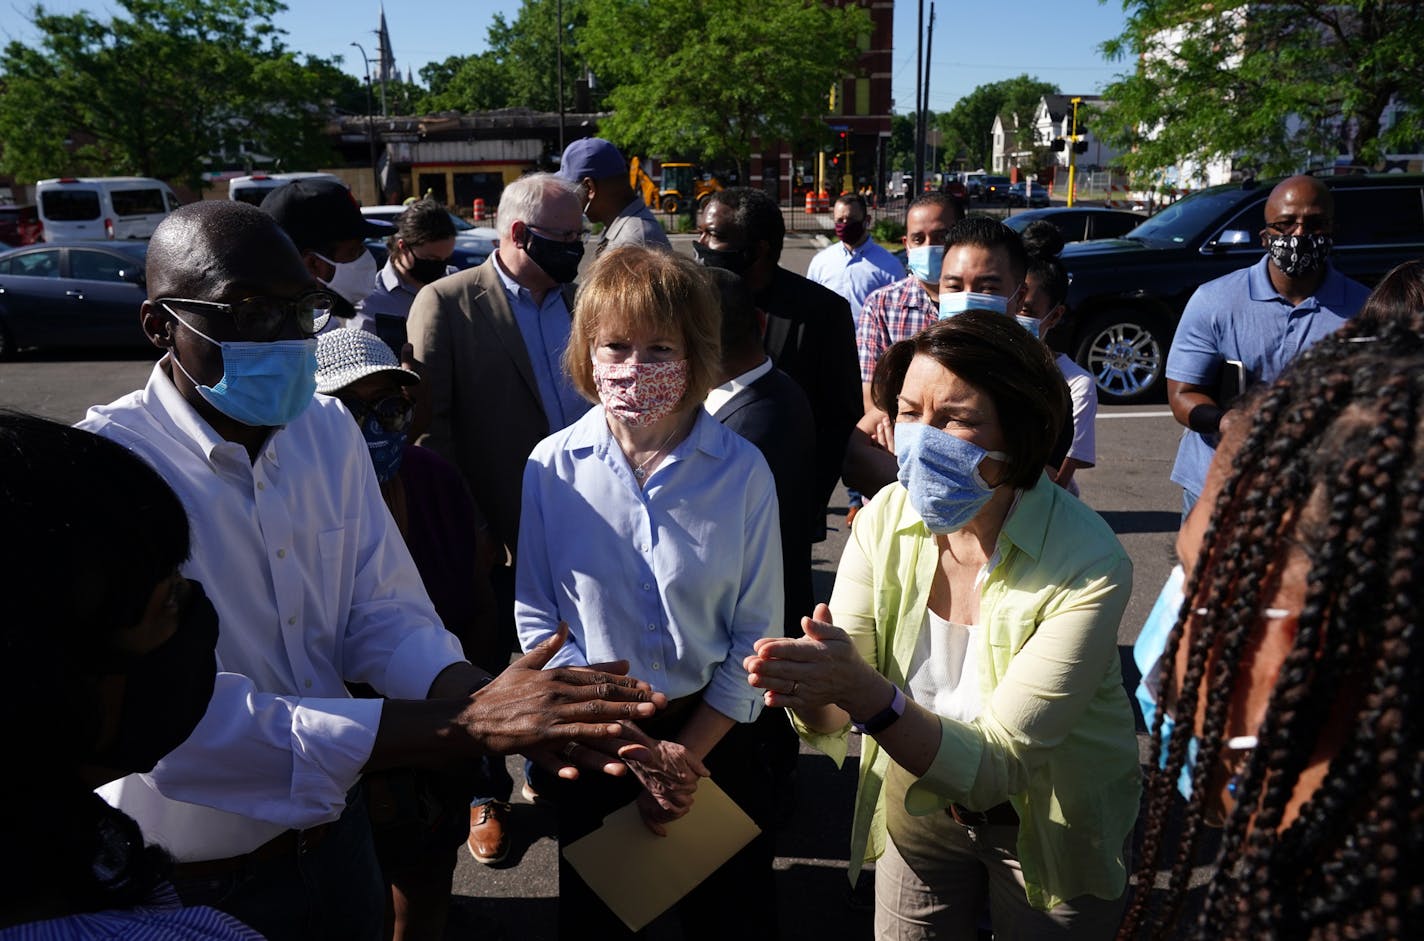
(489, 345)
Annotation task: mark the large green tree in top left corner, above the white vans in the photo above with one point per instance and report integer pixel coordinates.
(164, 89)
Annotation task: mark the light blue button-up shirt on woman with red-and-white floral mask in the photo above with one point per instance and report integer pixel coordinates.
(680, 579)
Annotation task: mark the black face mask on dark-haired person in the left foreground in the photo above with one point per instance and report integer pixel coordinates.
(167, 691)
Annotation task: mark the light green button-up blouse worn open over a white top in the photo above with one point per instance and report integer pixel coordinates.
(1056, 735)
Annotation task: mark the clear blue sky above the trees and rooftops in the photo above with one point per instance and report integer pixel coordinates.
(975, 43)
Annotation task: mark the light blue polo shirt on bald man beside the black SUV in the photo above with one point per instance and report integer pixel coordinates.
(1242, 317)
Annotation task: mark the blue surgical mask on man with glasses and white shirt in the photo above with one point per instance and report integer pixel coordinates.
(264, 385)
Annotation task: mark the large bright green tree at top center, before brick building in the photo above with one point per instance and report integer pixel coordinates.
(703, 79)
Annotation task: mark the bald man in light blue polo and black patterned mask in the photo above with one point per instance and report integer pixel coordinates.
(1244, 330)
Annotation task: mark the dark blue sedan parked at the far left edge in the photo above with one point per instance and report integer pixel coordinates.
(79, 294)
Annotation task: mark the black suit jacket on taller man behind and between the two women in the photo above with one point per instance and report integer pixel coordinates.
(812, 338)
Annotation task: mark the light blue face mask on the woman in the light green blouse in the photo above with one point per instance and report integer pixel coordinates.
(942, 472)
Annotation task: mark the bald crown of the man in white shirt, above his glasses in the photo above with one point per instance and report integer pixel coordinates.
(204, 248)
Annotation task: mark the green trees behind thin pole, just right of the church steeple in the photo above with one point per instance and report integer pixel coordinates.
(520, 69)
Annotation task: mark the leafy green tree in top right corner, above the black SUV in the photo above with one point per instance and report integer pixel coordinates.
(1274, 85)
